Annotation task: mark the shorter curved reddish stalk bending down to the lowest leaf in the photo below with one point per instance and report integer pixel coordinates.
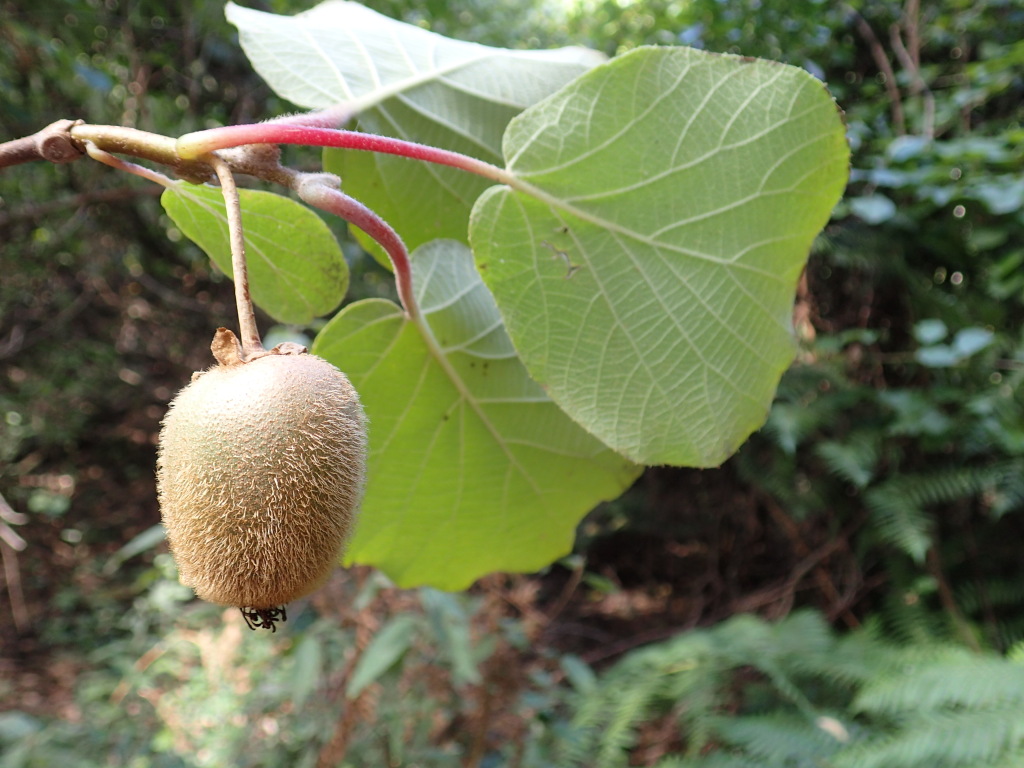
(316, 190)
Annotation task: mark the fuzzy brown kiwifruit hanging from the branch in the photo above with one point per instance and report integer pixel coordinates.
(261, 471)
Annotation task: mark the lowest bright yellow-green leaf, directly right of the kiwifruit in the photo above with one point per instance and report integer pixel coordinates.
(473, 468)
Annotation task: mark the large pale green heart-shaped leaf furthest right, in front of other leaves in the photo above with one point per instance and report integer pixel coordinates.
(646, 262)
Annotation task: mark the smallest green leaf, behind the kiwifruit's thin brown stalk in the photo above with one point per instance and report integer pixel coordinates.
(296, 269)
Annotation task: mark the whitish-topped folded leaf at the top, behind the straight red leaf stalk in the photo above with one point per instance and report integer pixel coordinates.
(406, 82)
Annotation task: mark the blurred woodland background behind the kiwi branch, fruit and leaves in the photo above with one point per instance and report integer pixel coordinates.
(884, 497)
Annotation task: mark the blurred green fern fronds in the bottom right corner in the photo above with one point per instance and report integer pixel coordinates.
(928, 705)
